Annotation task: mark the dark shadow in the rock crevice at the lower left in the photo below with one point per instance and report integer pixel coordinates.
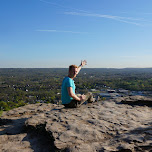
(39, 140)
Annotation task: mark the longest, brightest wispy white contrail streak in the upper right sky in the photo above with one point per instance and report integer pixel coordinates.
(128, 20)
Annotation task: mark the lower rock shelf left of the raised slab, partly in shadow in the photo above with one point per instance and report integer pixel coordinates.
(14, 136)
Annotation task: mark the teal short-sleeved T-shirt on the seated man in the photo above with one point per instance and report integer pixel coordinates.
(67, 82)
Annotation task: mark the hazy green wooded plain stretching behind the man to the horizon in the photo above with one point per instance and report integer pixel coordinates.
(25, 86)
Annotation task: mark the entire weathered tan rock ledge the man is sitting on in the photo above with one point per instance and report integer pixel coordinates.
(103, 126)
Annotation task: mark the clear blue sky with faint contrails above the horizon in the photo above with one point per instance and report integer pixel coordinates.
(58, 33)
